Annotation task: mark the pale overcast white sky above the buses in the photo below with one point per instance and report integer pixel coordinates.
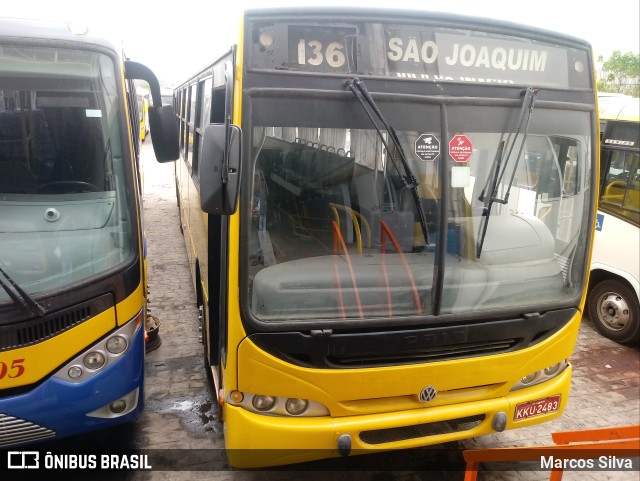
(176, 41)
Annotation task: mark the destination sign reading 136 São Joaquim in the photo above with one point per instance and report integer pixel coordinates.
(421, 53)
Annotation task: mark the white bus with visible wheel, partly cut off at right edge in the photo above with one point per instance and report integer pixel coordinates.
(613, 302)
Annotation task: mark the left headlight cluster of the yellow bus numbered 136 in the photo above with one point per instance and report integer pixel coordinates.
(277, 406)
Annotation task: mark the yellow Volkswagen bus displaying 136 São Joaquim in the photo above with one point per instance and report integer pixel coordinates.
(388, 216)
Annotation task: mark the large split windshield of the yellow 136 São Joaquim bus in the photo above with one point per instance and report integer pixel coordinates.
(336, 234)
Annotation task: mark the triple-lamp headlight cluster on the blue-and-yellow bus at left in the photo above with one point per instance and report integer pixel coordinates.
(101, 354)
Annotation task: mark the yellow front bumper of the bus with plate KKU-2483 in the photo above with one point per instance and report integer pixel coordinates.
(255, 440)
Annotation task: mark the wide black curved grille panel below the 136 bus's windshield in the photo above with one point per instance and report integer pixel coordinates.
(334, 349)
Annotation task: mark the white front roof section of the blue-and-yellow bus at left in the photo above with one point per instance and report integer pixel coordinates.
(35, 31)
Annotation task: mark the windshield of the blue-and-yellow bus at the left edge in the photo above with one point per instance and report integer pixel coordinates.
(64, 214)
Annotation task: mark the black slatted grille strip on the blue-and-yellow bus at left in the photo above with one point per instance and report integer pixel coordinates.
(27, 333)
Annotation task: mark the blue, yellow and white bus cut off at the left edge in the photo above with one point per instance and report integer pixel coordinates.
(72, 277)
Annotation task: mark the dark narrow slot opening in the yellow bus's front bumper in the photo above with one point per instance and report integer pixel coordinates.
(390, 435)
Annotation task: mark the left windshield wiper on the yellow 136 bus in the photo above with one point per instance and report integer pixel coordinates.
(409, 179)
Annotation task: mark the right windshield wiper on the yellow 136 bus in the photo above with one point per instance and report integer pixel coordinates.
(502, 161)
